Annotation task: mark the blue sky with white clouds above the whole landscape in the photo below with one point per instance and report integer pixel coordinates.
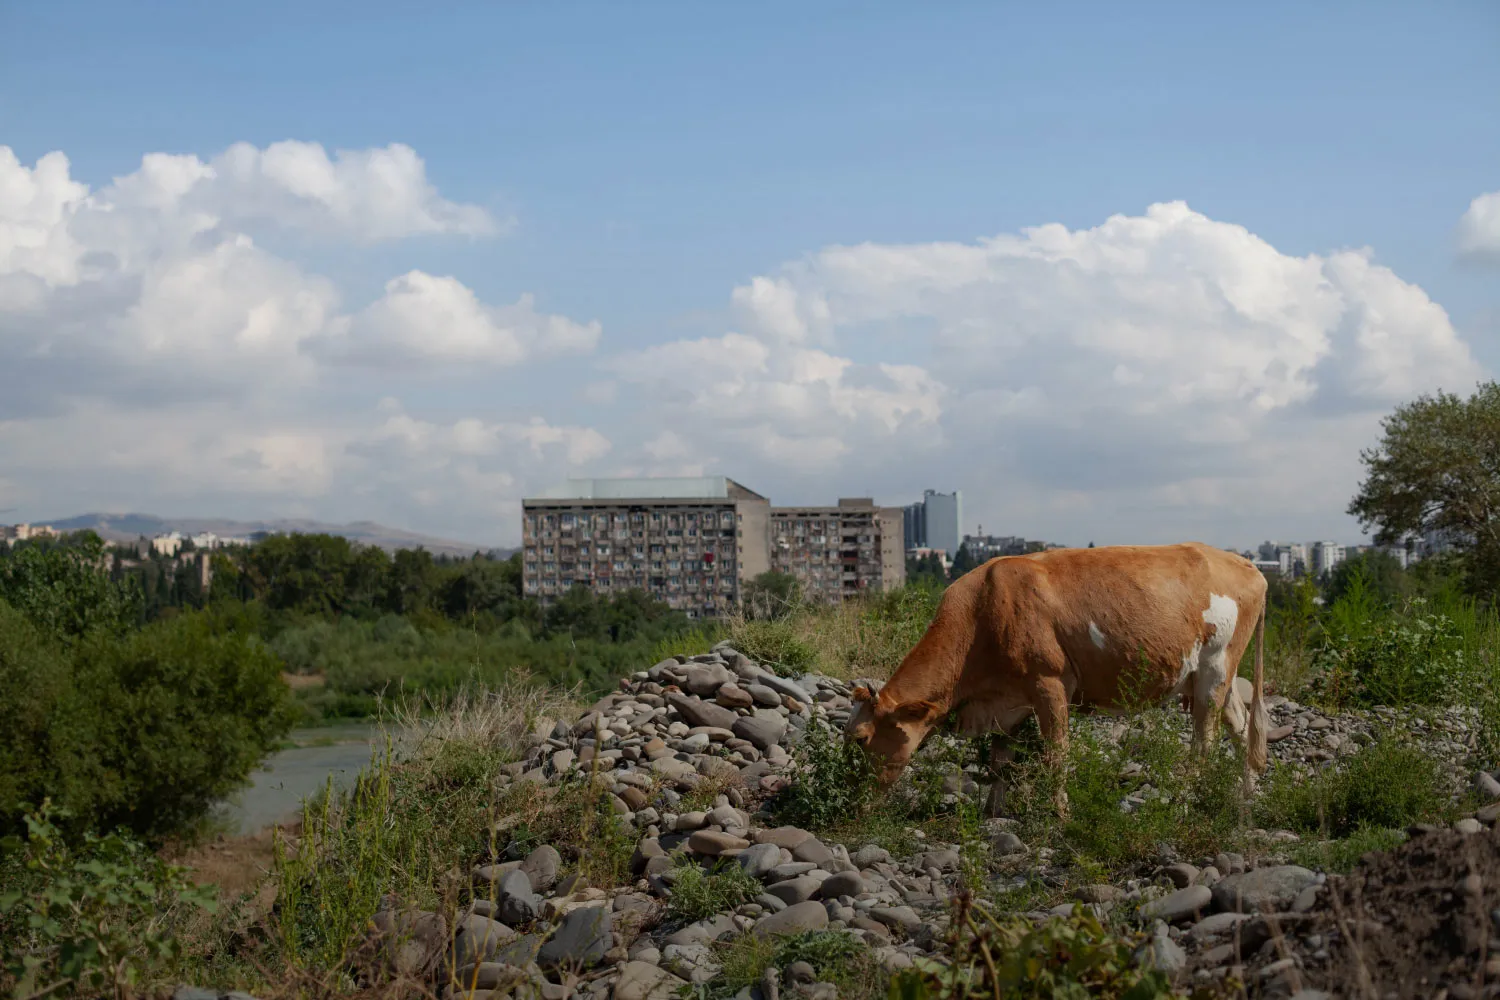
(1121, 274)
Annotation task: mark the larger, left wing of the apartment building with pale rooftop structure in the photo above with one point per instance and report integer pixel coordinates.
(692, 543)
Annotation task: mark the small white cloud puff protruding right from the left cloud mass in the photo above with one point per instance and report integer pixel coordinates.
(439, 320)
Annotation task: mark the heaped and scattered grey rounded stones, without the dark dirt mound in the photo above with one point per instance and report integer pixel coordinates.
(724, 725)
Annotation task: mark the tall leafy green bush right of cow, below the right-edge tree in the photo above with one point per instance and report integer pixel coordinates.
(1412, 657)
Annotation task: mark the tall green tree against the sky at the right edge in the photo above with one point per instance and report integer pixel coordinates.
(1438, 469)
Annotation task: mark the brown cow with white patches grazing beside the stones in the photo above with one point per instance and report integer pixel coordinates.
(1114, 629)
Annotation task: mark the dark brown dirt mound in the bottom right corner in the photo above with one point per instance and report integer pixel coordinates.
(1420, 921)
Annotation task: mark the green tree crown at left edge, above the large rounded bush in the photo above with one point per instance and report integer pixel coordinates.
(65, 588)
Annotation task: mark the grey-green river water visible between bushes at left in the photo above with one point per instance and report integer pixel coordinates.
(289, 776)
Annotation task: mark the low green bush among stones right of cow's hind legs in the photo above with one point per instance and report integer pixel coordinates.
(1387, 785)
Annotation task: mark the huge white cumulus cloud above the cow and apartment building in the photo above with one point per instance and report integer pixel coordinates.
(1157, 371)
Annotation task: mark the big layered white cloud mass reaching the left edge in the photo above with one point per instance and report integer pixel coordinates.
(158, 356)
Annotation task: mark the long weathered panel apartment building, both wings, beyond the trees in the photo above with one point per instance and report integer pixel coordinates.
(695, 543)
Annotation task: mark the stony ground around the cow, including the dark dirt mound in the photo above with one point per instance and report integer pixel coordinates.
(724, 723)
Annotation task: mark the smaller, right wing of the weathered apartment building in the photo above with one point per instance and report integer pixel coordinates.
(839, 552)
